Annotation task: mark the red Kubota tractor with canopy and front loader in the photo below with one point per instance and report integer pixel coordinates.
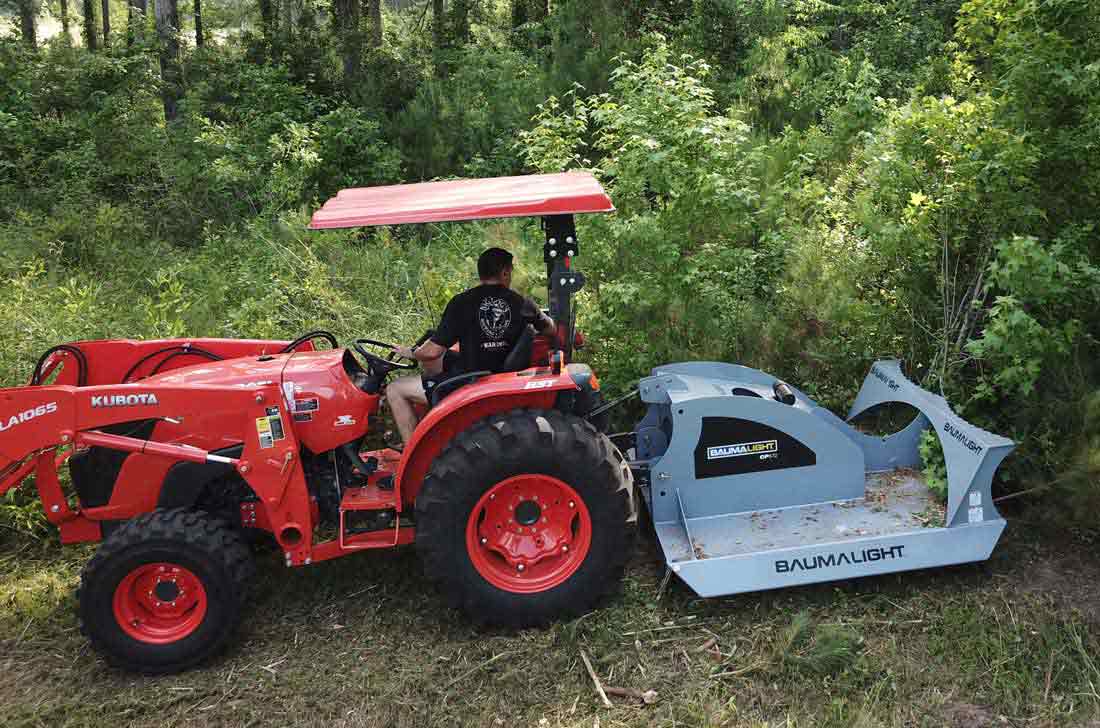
(181, 451)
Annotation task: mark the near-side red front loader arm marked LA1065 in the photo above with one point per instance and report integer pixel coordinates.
(38, 423)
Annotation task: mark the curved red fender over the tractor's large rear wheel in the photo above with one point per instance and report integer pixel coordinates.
(500, 393)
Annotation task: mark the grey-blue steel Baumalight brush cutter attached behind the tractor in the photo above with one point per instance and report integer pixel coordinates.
(752, 486)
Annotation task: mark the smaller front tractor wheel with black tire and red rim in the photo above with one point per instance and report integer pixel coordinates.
(164, 592)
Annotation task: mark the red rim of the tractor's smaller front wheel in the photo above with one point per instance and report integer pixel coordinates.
(160, 603)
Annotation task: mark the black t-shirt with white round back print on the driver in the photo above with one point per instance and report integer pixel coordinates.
(487, 322)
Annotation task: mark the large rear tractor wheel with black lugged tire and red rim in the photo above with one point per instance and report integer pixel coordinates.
(523, 520)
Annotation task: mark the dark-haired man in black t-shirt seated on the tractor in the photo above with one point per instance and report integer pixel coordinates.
(486, 322)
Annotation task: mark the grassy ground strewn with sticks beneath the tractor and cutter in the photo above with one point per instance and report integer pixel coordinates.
(362, 642)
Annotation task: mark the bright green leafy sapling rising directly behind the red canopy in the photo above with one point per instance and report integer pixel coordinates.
(668, 268)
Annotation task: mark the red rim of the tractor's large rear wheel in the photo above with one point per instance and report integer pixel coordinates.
(529, 534)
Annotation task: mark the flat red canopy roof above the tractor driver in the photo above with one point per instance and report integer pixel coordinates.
(465, 200)
